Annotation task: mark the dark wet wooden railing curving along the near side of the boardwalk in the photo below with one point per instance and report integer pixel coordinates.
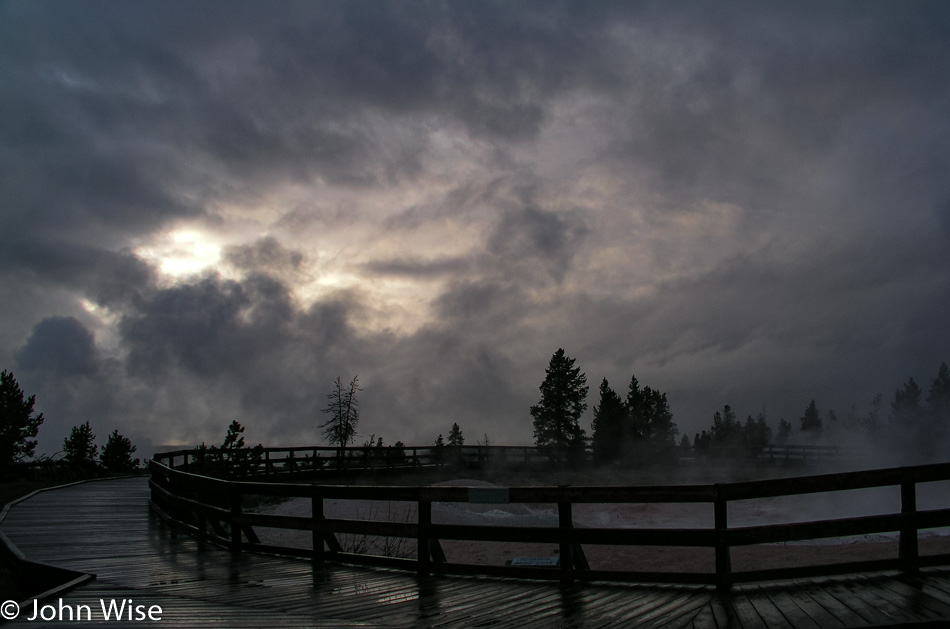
(217, 510)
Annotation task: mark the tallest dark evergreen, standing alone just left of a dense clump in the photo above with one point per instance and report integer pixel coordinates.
(557, 414)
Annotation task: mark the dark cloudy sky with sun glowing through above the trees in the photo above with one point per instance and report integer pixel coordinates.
(210, 210)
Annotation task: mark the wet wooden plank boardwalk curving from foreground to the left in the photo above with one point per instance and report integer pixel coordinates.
(105, 528)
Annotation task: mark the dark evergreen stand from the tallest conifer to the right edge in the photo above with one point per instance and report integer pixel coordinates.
(639, 428)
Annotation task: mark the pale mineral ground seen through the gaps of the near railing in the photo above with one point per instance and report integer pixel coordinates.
(635, 558)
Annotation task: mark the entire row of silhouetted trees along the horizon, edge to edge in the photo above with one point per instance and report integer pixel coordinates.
(637, 428)
